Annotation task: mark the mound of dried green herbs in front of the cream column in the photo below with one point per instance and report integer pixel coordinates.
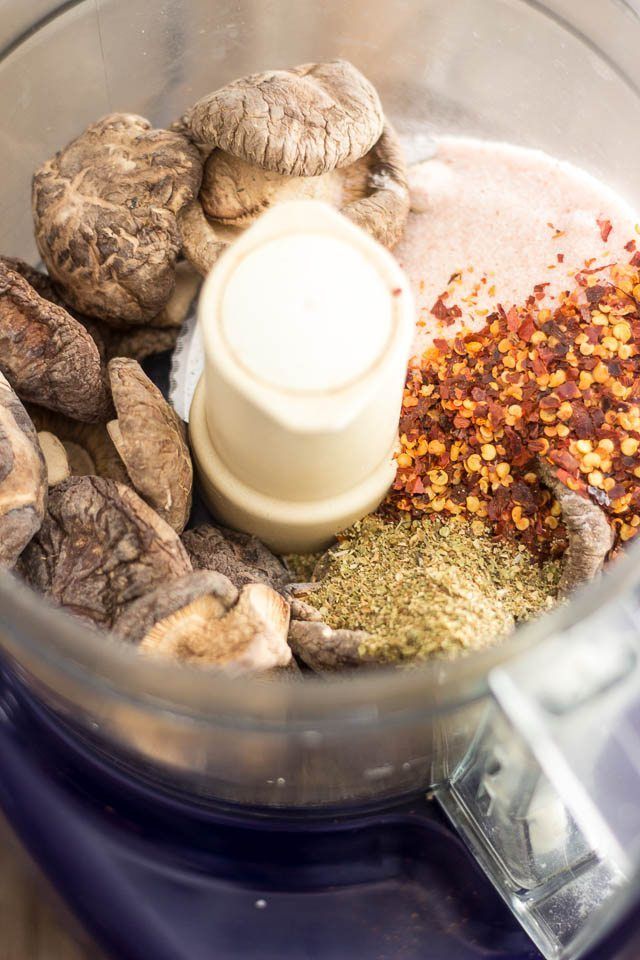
(425, 588)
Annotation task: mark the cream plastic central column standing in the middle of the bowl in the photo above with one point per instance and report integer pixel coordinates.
(307, 324)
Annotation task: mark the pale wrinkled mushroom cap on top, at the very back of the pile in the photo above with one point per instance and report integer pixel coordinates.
(300, 122)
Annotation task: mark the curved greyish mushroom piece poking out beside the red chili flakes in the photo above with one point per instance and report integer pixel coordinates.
(590, 535)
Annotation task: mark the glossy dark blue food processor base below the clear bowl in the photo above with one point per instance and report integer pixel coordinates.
(151, 874)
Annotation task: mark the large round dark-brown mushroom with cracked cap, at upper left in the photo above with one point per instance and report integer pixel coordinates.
(105, 212)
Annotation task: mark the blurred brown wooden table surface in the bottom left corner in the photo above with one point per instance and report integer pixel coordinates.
(32, 925)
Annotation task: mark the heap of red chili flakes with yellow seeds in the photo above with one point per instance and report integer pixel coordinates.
(561, 383)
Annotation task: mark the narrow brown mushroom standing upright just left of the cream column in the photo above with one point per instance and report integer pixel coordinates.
(151, 440)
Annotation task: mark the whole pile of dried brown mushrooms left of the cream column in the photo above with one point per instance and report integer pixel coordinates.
(96, 475)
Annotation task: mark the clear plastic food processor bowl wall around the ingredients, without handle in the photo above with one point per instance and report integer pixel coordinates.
(562, 76)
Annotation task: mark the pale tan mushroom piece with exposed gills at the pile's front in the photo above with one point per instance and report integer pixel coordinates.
(252, 636)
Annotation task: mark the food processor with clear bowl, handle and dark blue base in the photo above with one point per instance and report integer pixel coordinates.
(485, 807)
